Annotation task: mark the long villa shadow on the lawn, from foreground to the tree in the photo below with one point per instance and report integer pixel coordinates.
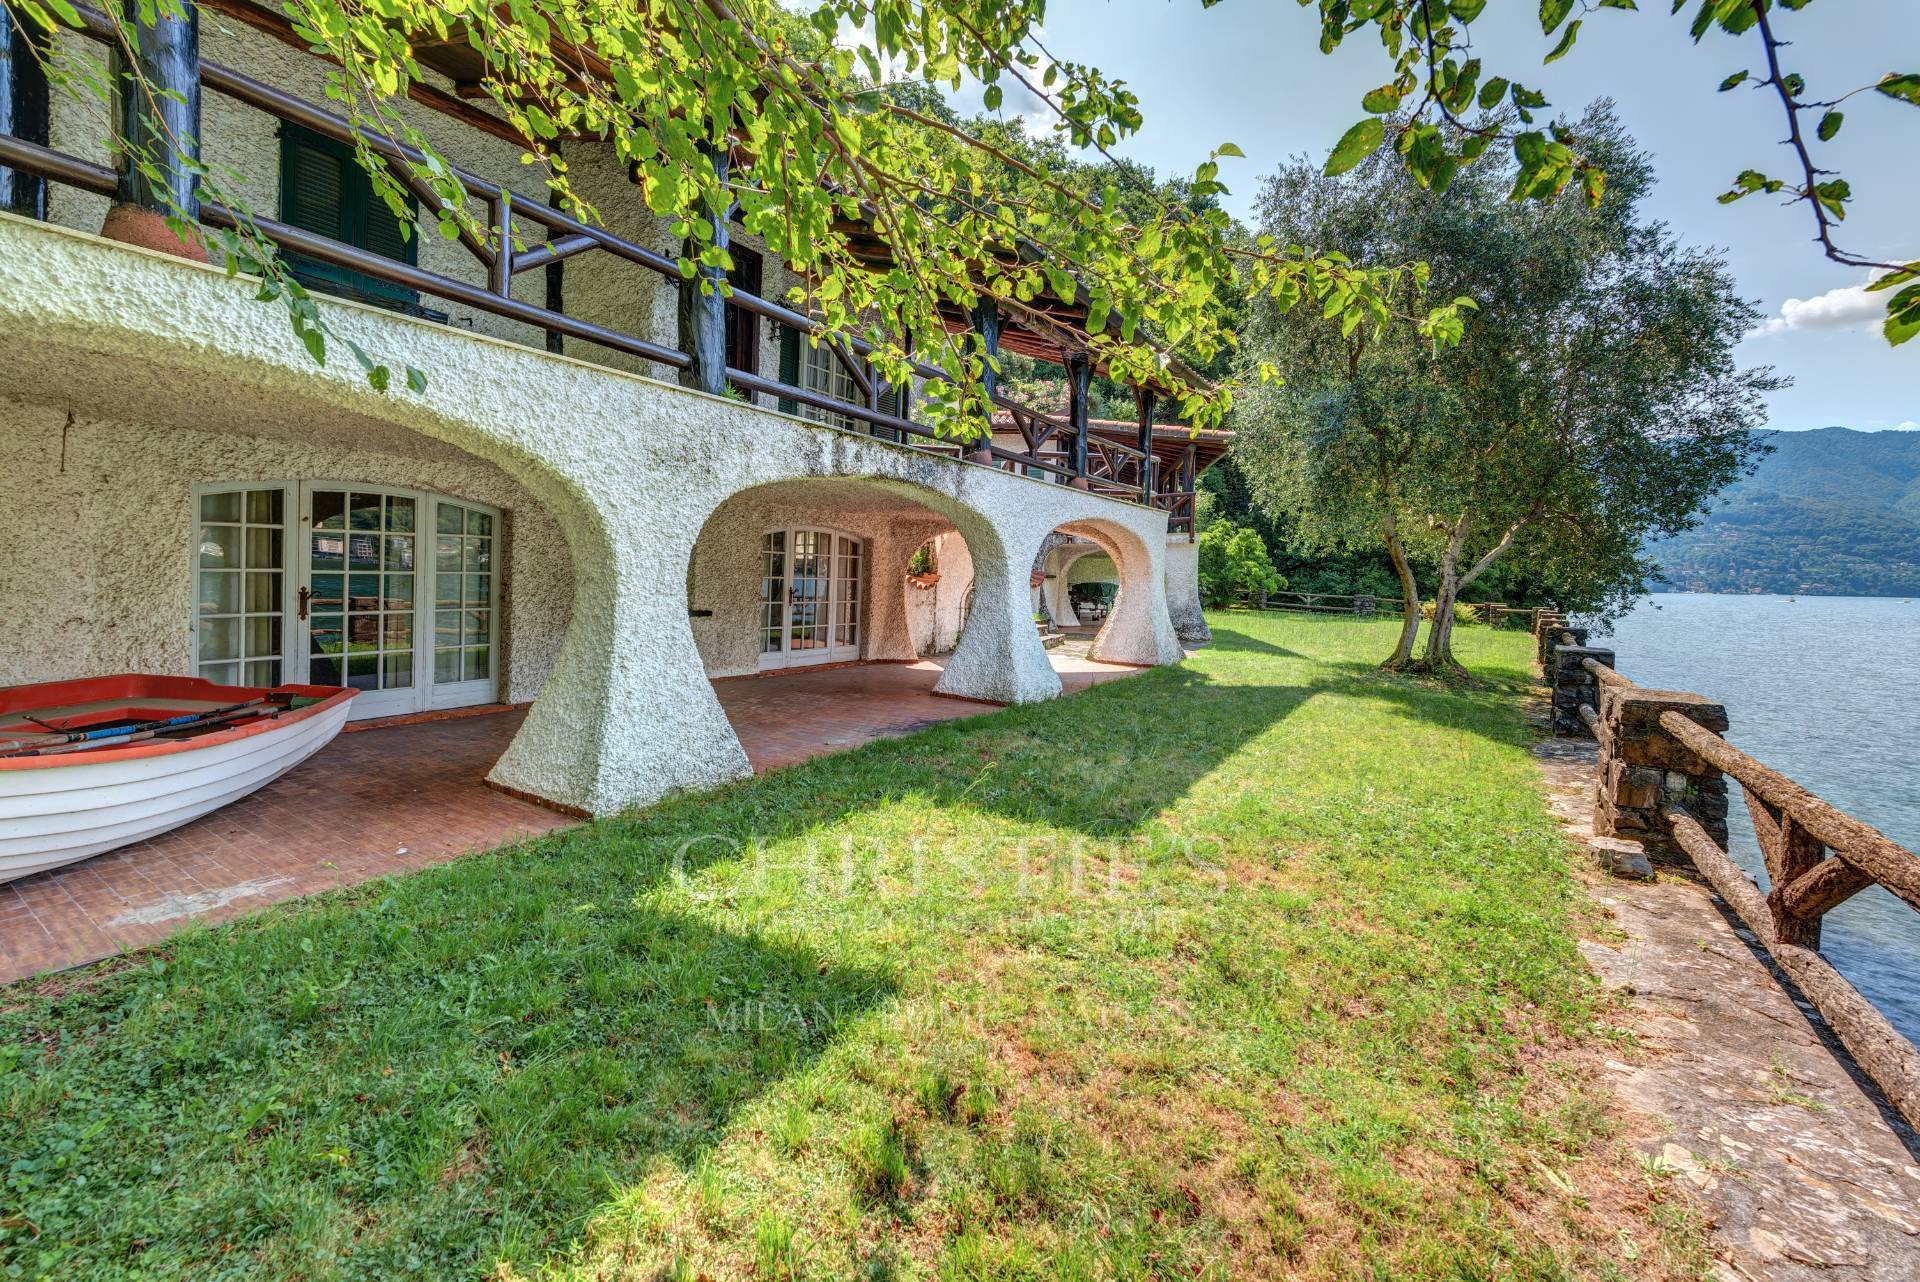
(423, 1076)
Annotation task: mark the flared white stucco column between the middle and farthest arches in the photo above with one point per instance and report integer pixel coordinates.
(999, 657)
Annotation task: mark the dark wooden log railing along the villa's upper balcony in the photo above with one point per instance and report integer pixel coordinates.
(1101, 465)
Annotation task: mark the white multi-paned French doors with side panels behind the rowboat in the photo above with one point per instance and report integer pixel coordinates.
(393, 592)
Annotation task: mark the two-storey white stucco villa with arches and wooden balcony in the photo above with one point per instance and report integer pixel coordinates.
(556, 519)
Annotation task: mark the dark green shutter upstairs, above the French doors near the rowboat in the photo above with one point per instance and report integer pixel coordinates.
(325, 191)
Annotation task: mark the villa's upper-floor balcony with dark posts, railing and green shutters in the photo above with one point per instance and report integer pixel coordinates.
(608, 291)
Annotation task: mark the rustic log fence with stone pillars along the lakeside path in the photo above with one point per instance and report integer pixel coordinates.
(1664, 769)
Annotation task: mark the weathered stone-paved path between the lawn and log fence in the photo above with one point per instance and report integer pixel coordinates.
(1802, 1174)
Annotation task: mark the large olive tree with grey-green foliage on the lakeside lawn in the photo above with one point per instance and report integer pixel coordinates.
(1593, 404)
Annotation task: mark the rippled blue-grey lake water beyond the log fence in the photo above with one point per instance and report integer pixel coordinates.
(1825, 690)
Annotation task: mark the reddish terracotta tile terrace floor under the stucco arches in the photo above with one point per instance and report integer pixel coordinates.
(402, 797)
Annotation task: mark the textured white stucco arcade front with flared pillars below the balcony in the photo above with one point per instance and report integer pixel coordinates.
(629, 467)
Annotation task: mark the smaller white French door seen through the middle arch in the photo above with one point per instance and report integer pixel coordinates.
(809, 598)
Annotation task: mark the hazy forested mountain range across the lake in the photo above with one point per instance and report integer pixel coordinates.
(1831, 511)
